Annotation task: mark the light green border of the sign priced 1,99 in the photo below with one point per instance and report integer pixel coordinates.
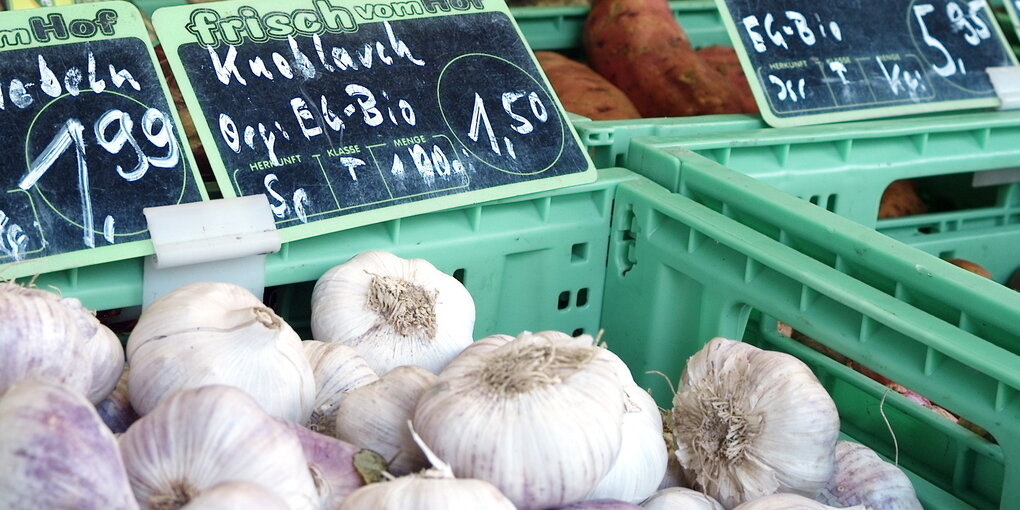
(130, 24)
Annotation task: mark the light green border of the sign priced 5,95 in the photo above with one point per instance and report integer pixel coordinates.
(761, 96)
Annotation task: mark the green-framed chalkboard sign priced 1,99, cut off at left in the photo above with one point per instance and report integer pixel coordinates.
(91, 138)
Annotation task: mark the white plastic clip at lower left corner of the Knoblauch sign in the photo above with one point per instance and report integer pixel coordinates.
(215, 241)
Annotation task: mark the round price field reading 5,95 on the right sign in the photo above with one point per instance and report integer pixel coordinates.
(934, 57)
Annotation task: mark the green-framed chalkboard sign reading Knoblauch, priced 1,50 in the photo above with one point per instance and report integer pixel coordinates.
(348, 113)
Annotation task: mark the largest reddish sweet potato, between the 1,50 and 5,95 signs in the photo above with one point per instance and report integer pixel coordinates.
(639, 46)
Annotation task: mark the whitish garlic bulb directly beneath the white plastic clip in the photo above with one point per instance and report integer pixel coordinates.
(219, 334)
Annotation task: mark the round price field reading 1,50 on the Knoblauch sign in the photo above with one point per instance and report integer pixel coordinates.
(471, 77)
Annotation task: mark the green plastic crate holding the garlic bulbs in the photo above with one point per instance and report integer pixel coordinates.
(664, 273)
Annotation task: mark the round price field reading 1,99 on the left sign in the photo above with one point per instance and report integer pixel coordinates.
(109, 191)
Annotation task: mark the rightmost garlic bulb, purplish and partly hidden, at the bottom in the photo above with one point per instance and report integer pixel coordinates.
(862, 478)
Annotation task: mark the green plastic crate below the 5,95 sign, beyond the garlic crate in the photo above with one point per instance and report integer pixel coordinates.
(846, 169)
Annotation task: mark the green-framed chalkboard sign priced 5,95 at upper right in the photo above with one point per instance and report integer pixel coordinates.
(813, 63)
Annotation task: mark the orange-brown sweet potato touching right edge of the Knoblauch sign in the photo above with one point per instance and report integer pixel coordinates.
(583, 91)
